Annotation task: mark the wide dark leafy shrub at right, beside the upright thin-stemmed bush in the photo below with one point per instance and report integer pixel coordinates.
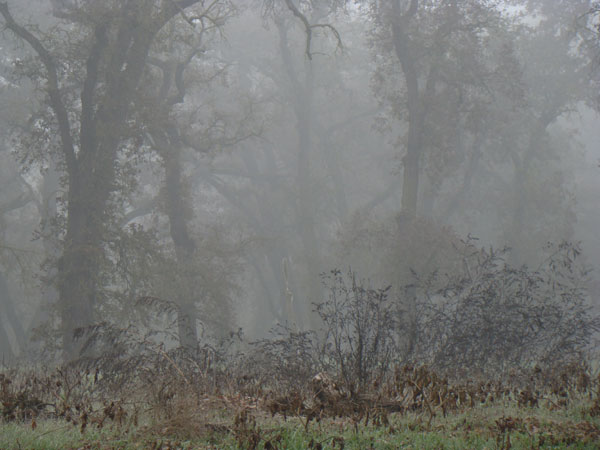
(494, 316)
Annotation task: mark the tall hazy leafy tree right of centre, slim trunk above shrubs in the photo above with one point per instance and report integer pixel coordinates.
(438, 48)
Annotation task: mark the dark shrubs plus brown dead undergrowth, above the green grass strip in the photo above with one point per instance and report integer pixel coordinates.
(524, 330)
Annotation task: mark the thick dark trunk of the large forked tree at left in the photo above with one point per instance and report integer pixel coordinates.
(91, 179)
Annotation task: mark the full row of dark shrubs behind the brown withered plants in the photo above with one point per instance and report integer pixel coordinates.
(487, 318)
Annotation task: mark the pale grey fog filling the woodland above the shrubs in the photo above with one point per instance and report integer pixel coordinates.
(203, 166)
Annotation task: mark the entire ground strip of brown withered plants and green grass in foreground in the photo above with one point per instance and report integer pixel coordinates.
(415, 409)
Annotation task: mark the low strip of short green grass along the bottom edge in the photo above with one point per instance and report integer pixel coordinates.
(470, 429)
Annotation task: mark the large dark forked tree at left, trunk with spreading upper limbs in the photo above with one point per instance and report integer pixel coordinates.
(90, 97)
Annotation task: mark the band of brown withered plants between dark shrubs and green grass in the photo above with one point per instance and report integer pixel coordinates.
(177, 411)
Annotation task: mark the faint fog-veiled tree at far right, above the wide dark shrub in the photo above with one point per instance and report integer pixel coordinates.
(547, 78)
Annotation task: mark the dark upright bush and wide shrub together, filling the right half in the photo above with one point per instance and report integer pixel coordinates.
(487, 319)
